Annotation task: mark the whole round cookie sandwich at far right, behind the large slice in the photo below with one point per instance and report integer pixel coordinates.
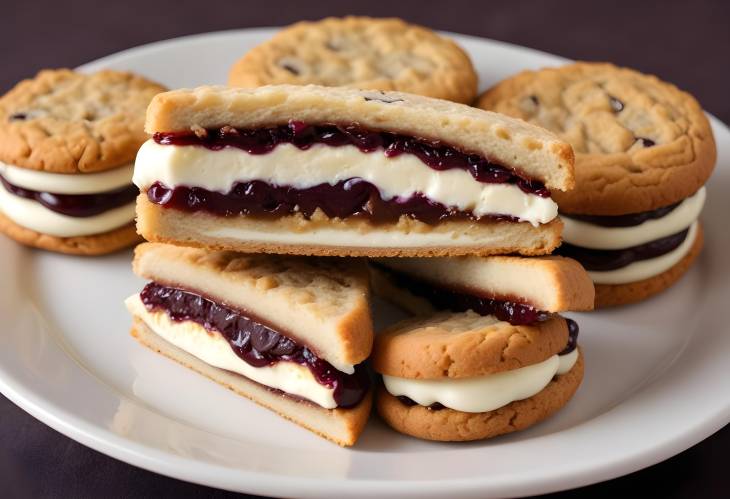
(644, 150)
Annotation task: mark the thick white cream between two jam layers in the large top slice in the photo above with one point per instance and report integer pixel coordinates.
(399, 176)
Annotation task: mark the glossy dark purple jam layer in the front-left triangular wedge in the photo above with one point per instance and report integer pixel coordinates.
(254, 342)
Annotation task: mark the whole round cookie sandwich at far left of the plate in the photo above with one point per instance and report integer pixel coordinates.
(67, 146)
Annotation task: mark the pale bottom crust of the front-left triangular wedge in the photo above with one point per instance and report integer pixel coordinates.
(342, 426)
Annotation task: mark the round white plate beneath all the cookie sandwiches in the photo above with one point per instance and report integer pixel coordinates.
(655, 384)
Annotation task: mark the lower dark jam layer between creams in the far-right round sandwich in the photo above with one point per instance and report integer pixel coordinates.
(601, 260)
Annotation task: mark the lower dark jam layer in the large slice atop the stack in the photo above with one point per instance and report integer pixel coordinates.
(349, 198)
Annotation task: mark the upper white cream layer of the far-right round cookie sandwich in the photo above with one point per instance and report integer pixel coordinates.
(588, 235)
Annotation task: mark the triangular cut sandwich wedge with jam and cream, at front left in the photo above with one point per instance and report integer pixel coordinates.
(287, 332)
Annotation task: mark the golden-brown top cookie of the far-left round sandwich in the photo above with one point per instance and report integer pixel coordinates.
(63, 121)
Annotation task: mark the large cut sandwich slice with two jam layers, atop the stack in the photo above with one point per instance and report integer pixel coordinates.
(336, 171)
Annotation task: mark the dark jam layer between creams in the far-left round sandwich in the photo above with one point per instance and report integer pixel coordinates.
(76, 205)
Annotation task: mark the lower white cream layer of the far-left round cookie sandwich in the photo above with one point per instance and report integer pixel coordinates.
(33, 215)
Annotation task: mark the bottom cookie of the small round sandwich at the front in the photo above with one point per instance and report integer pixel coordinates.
(448, 425)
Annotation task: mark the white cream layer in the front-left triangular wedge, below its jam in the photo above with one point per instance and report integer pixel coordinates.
(213, 349)
